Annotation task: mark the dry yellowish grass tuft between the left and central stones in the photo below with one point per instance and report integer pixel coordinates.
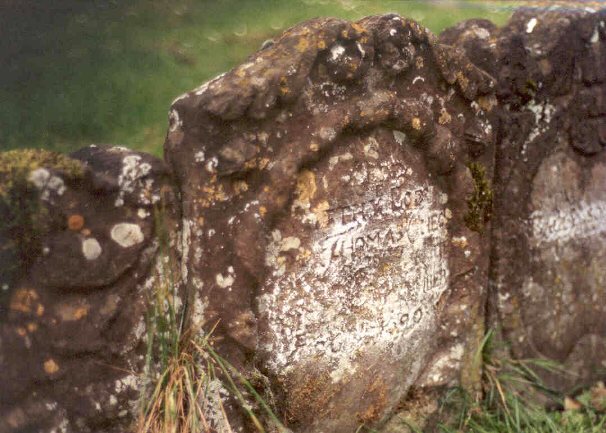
(186, 382)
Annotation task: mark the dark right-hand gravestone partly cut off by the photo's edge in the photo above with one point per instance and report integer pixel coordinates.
(549, 257)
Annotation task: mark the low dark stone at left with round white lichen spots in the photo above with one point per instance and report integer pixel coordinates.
(76, 246)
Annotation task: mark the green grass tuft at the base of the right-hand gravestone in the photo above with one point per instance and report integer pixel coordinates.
(517, 401)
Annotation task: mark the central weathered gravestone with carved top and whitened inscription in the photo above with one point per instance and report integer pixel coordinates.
(334, 199)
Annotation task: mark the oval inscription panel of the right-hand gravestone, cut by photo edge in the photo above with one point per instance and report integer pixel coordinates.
(567, 229)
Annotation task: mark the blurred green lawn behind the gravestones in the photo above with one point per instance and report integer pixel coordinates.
(108, 72)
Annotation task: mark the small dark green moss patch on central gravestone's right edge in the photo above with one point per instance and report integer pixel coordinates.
(480, 202)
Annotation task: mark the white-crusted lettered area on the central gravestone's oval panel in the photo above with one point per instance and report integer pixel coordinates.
(370, 281)
